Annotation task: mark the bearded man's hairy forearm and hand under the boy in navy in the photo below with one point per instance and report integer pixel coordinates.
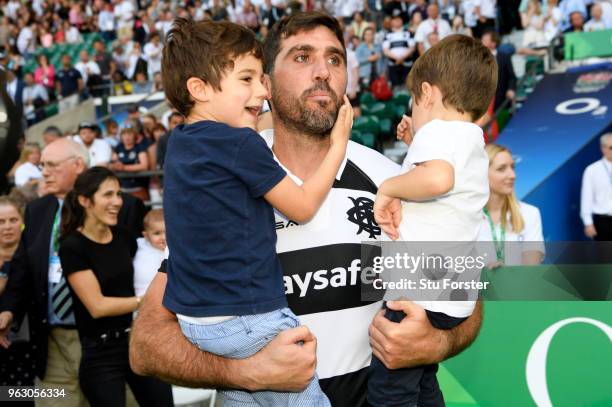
(159, 348)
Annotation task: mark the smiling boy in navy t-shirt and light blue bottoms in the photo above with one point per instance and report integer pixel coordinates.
(221, 183)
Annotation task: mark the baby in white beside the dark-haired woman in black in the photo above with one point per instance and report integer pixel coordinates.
(150, 251)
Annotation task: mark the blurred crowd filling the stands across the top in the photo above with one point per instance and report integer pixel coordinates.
(385, 37)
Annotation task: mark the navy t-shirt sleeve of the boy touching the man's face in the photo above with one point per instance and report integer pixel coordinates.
(255, 166)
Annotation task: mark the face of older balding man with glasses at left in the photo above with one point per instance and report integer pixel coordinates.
(60, 169)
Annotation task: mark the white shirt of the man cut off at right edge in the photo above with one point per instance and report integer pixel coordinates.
(596, 196)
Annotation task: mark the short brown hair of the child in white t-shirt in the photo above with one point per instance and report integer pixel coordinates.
(463, 69)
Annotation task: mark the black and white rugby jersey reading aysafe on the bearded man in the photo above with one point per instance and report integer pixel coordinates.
(321, 265)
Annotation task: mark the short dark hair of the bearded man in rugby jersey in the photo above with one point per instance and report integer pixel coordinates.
(293, 25)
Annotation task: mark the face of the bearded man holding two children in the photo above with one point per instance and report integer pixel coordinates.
(308, 81)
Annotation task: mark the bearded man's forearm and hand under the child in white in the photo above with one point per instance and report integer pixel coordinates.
(414, 341)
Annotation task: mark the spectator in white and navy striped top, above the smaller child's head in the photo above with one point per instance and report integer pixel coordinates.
(398, 47)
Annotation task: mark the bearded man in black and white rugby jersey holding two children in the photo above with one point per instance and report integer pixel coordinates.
(321, 259)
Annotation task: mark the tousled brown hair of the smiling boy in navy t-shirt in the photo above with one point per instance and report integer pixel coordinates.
(206, 50)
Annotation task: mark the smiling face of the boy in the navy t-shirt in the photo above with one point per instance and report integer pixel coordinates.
(243, 92)
